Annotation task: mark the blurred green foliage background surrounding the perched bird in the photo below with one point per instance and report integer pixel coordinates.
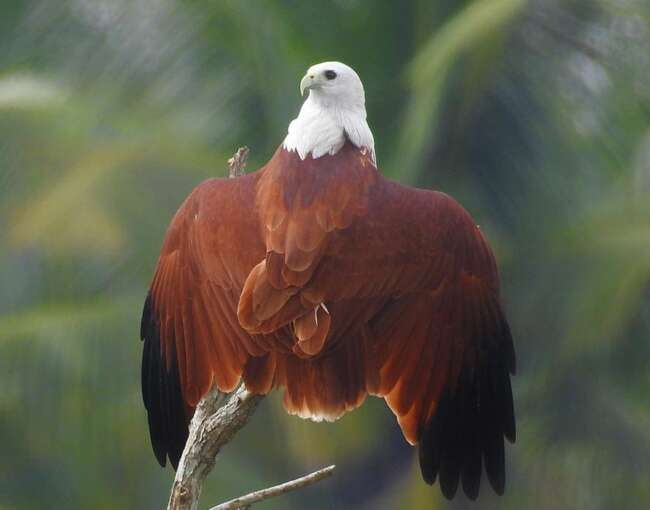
(534, 114)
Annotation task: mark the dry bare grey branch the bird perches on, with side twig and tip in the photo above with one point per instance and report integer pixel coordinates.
(217, 418)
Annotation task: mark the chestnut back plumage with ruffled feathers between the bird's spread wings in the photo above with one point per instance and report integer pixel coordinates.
(302, 206)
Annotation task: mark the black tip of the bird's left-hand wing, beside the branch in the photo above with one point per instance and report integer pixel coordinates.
(161, 394)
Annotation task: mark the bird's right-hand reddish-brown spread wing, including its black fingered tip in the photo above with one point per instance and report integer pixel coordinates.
(421, 269)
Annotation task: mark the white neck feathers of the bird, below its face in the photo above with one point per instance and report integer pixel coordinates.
(322, 127)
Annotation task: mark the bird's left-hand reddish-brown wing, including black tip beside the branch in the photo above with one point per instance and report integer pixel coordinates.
(192, 339)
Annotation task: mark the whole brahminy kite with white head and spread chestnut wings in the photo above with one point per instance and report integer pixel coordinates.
(317, 275)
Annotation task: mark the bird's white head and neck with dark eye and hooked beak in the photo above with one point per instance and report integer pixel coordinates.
(333, 112)
